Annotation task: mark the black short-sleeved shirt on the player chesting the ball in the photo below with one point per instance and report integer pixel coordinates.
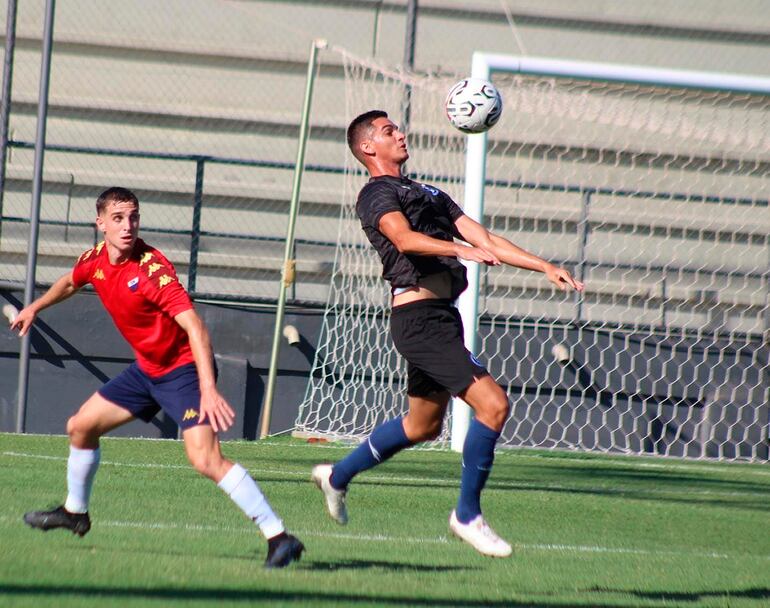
(429, 211)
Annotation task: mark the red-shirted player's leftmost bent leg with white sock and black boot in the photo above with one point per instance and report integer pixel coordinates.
(94, 418)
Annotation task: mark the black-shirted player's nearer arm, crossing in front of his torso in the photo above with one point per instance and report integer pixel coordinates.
(397, 229)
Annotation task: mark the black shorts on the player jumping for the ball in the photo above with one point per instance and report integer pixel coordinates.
(429, 335)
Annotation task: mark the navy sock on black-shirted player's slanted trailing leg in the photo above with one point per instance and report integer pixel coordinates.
(386, 440)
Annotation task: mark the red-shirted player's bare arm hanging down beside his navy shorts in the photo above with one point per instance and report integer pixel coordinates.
(213, 406)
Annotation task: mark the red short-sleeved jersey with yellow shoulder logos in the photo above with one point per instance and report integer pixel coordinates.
(142, 295)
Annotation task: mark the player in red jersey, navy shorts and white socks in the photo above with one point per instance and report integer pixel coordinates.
(174, 371)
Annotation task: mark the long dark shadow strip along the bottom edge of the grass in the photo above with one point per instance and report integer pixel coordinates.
(312, 598)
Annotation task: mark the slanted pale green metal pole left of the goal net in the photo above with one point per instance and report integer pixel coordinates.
(289, 263)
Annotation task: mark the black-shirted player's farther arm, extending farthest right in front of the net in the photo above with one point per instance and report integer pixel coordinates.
(508, 253)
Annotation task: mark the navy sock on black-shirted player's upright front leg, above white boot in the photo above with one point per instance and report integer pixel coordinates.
(478, 455)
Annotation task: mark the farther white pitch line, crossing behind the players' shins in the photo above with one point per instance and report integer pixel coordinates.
(495, 485)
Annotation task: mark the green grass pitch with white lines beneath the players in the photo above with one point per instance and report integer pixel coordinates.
(587, 531)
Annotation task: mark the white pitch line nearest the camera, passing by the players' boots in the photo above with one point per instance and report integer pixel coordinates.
(441, 540)
